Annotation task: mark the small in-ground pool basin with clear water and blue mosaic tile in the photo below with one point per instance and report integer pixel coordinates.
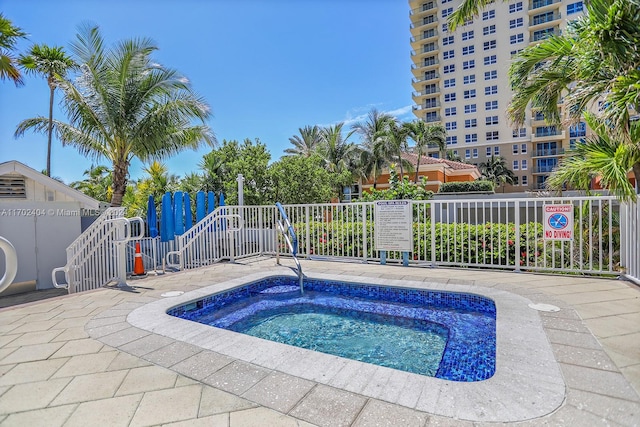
(443, 334)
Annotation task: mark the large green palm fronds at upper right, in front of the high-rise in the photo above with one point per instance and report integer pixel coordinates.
(592, 66)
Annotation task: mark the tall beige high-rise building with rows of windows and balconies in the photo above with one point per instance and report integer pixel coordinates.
(461, 80)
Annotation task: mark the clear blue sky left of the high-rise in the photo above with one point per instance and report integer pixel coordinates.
(266, 67)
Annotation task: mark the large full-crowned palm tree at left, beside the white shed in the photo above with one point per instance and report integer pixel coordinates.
(125, 105)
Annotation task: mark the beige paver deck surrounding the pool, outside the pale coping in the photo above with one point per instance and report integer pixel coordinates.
(74, 360)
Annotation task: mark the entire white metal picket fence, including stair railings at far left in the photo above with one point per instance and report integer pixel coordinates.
(497, 234)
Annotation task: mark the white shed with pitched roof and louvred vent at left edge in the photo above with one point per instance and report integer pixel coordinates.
(40, 217)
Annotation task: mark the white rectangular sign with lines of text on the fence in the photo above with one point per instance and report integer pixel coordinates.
(393, 225)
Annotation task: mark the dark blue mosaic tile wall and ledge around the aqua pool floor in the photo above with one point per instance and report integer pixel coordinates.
(470, 319)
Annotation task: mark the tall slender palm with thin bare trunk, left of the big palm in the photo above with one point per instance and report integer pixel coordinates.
(53, 63)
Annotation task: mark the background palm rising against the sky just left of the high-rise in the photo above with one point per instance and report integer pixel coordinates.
(372, 159)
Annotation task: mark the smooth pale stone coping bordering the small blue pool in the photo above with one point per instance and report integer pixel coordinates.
(527, 384)
